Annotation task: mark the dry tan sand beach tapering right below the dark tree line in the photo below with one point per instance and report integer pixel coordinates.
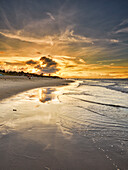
(12, 85)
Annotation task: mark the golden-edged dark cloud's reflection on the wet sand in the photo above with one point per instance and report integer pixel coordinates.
(46, 94)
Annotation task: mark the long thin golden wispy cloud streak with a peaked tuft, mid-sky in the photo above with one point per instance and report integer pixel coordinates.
(67, 36)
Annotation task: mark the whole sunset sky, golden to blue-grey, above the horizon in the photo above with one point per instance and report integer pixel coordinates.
(67, 38)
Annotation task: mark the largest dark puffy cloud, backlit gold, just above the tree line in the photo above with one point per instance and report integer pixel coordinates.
(47, 65)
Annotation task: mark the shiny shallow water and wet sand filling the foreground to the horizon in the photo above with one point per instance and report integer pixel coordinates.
(83, 126)
